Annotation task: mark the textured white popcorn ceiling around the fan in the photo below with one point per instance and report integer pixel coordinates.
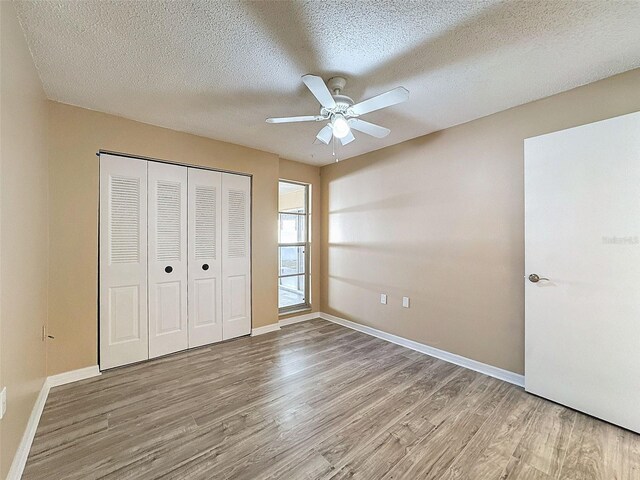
(218, 69)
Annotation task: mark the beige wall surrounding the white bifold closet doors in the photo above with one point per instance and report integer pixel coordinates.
(76, 135)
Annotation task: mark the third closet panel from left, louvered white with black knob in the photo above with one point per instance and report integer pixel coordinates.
(205, 257)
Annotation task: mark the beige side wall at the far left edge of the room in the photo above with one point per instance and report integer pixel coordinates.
(23, 243)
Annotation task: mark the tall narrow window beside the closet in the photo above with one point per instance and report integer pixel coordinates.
(293, 246)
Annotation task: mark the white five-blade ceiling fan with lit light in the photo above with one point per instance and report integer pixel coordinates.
(342, 114)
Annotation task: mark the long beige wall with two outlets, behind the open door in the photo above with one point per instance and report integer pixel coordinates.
(441, 219)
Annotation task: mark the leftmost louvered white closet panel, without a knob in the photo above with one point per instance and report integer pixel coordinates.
(123, 261)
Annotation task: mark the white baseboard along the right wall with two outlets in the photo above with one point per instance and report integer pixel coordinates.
(465, 362)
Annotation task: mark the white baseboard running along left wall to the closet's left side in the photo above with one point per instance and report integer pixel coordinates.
(20, 458)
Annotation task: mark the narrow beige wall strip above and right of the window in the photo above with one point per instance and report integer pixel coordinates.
(310, 174)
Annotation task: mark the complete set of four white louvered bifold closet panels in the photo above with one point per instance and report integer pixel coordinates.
(175, 258)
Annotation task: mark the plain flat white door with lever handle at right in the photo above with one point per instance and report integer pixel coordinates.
(582, 217)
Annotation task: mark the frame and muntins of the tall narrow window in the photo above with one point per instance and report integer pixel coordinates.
(306, 244)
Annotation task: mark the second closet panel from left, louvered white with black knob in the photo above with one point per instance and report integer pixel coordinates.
(168, 330)
